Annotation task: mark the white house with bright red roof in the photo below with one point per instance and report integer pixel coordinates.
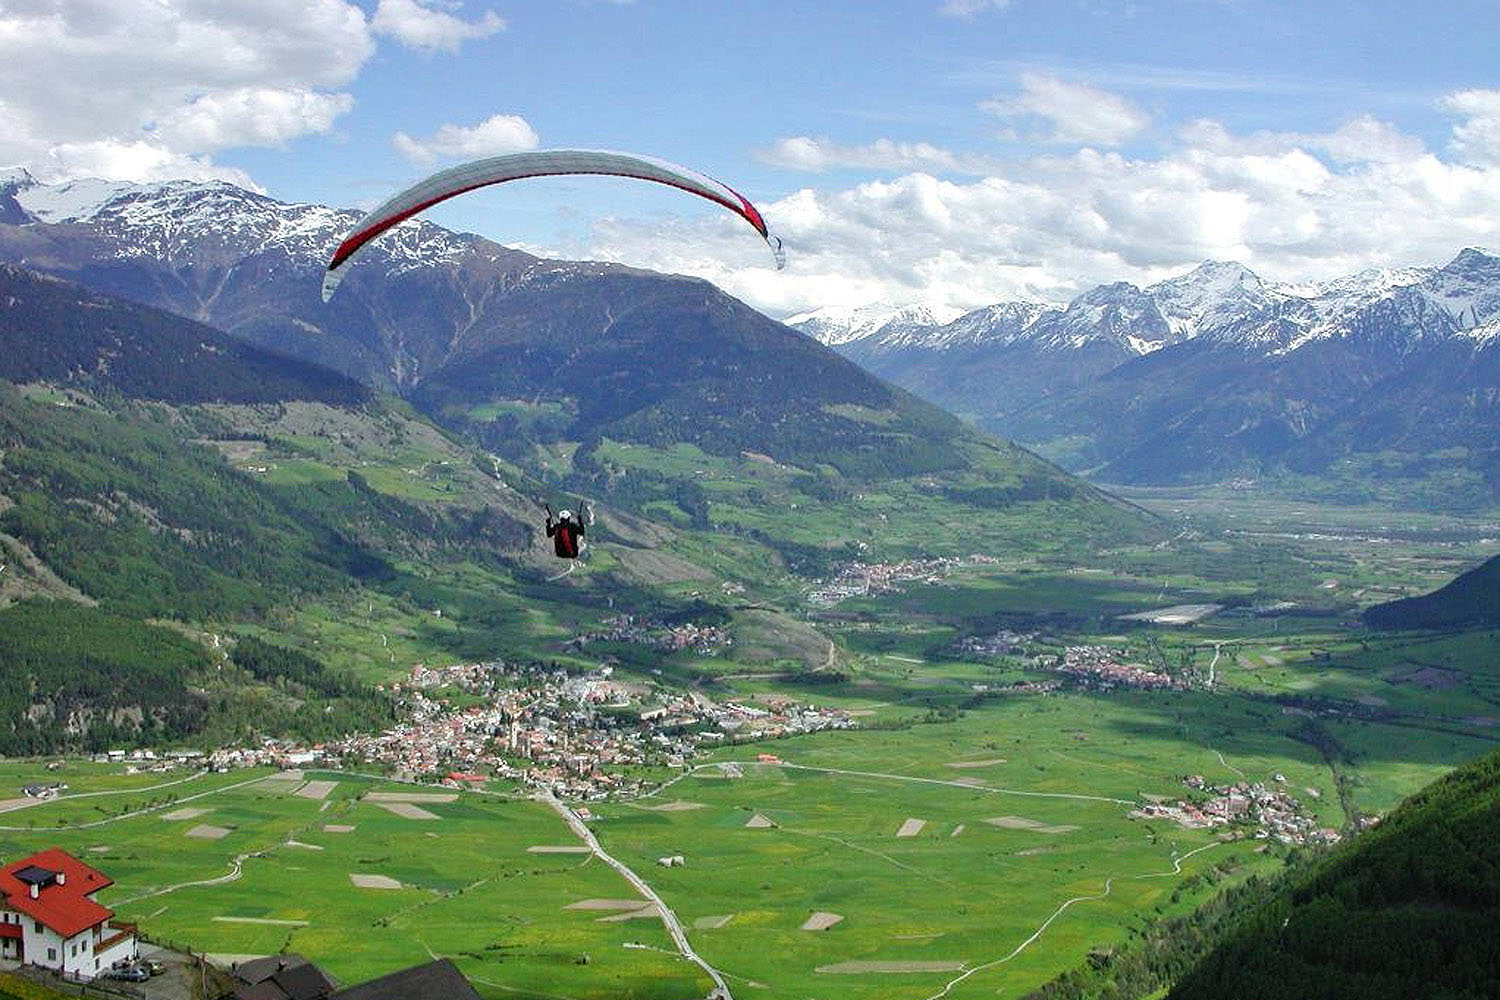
(50, 917)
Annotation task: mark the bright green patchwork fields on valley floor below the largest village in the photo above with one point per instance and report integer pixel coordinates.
(1009, 812)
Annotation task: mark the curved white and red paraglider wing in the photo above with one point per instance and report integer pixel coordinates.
(497, 170)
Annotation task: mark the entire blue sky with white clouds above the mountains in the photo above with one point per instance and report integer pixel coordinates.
(953, 152)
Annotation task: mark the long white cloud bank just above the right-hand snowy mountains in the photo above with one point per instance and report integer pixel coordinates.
(1291, 206)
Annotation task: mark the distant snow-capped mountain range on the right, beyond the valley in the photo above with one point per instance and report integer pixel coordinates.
(1220, 374)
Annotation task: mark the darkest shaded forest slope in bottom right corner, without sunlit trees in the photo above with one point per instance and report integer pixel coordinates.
(1409, 909)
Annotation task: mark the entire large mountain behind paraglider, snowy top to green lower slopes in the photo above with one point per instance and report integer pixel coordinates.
(554, 364)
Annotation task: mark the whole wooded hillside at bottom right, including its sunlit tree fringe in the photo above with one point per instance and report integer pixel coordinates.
(1406, 909)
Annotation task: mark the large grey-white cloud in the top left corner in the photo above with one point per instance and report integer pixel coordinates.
(134, 89)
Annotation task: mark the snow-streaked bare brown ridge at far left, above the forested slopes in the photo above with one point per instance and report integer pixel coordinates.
(251, 266)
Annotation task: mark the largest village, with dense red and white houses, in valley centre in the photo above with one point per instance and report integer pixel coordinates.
(569, 734)
